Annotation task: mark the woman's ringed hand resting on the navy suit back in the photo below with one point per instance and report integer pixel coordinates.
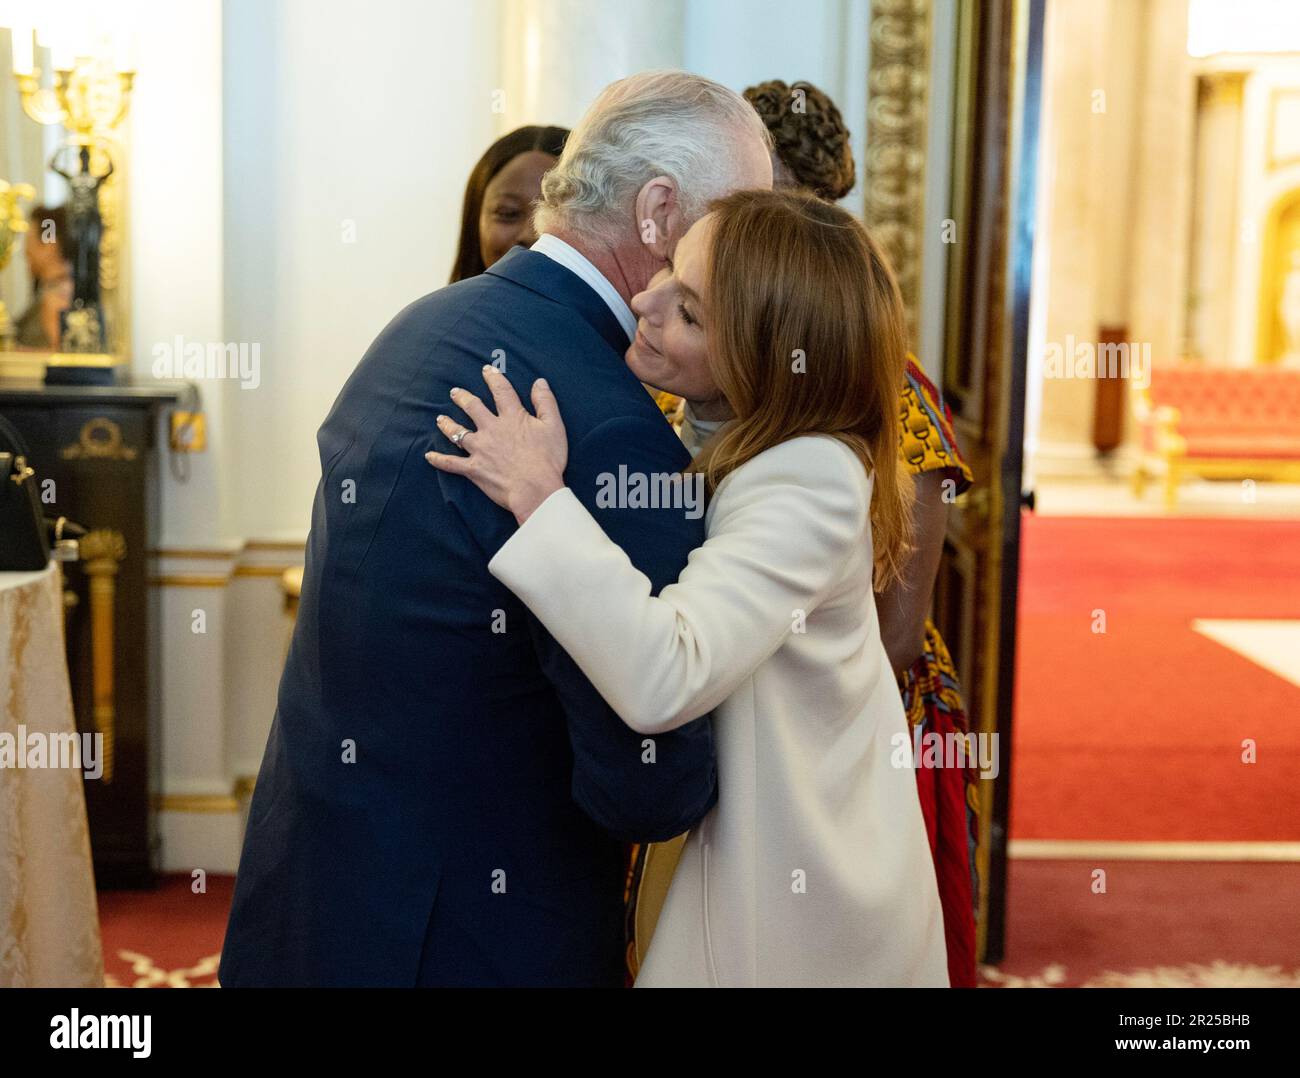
(515, 458)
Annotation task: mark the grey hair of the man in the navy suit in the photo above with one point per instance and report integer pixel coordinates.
(653, 124)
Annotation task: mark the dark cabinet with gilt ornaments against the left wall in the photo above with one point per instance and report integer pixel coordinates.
(96, 444)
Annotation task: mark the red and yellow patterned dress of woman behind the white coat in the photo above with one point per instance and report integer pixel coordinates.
(931, 696)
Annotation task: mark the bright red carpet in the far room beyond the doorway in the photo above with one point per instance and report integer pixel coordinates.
(1137, 734)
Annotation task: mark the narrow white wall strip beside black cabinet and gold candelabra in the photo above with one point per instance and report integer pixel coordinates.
(176, 228)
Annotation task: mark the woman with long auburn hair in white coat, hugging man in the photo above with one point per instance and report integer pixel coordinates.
(779, 315)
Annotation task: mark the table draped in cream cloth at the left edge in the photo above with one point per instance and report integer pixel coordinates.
(49, 919)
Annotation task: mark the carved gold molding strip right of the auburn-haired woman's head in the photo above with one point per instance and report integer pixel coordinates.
(898, 106)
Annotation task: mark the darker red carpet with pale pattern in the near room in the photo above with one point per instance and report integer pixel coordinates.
(1158, 924)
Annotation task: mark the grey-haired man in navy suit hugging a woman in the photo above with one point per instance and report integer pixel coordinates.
(444, 796)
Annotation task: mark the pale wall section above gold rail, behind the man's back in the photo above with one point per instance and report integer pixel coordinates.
(359, 116)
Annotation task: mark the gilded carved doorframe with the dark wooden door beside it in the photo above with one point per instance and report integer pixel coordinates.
(985, 315)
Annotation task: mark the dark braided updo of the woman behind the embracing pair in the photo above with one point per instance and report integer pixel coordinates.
(811, 136)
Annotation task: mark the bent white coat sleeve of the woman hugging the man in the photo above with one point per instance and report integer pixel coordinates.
(783, 527)
